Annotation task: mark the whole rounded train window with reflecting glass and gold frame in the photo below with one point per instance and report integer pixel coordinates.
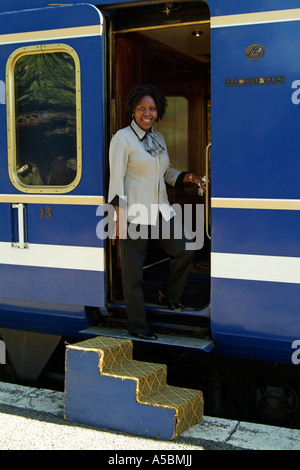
(44, 128)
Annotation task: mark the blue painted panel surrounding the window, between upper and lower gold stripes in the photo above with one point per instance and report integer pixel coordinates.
(92, 181)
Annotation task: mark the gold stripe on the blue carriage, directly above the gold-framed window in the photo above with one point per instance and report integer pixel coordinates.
(49, 34)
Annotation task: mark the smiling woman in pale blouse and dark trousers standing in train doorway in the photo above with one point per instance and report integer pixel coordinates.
(139, 171)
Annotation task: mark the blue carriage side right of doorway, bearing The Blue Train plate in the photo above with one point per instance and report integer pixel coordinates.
(255, 202)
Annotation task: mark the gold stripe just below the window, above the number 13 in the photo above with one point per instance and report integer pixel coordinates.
(52, 199)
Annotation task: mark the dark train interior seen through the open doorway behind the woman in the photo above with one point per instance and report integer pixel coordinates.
(167, 45)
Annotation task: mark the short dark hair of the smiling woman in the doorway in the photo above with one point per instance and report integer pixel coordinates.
(138, 92)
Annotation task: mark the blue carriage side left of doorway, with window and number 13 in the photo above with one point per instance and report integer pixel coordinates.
(51, 167)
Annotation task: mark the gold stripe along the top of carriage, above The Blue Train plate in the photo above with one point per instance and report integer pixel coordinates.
(256, 18)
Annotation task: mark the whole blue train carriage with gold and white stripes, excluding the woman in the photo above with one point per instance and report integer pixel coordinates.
(230, 72)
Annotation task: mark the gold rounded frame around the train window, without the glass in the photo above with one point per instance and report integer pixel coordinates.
(11, 118)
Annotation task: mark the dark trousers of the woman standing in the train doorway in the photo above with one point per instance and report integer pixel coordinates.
(133, 253)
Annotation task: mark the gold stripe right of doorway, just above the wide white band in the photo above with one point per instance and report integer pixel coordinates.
(273, 204)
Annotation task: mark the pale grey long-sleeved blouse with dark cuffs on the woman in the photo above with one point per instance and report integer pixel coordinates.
(137, 178)
